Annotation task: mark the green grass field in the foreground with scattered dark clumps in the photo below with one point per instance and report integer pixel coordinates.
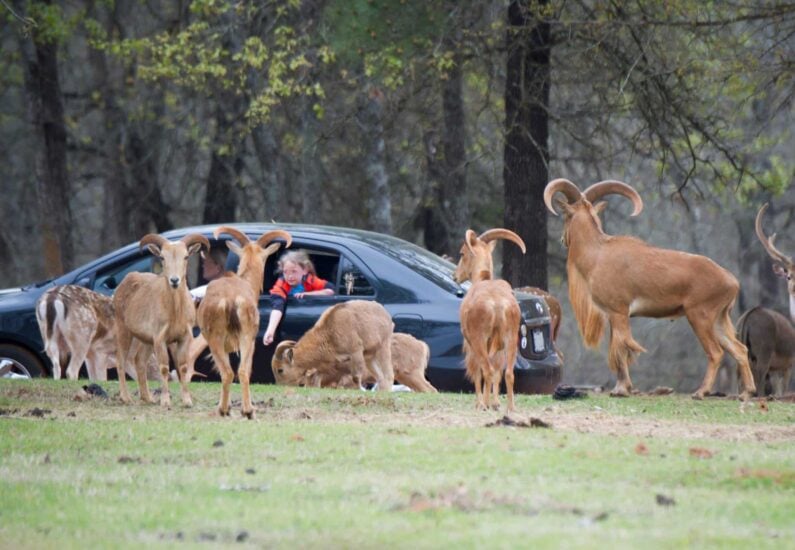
(331, 468)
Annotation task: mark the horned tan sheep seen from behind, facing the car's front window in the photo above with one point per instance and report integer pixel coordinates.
(229, 314)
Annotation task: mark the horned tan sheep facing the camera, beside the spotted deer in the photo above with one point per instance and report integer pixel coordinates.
(157, 310)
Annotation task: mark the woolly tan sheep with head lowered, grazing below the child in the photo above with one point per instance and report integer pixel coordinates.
(351, 338)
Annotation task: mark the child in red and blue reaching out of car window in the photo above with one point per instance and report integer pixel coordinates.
(298, 279)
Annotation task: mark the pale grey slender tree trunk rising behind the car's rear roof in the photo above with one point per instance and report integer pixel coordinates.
(380, 203)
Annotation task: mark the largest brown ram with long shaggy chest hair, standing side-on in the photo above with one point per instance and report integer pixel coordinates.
(613, 278)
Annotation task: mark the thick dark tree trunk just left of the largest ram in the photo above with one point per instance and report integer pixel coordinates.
(526, 156)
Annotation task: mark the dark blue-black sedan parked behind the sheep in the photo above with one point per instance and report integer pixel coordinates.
(415, 286)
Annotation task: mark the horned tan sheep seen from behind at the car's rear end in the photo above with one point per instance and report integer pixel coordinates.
(490, 318)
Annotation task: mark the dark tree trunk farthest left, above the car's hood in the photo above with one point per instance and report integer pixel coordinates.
(46, 115)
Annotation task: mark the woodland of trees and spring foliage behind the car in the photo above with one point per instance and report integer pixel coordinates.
(411, 117)
